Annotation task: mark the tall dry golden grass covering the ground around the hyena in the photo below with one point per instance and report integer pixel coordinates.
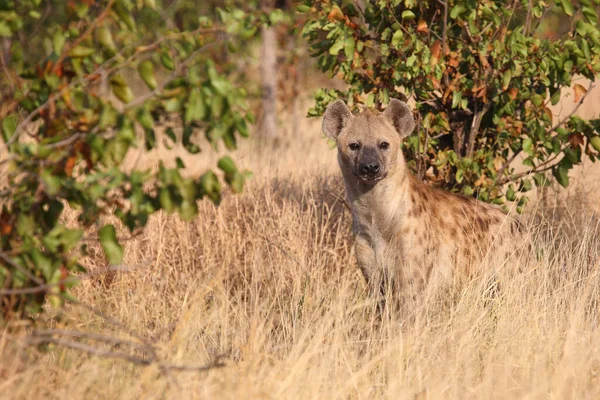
(269, 281)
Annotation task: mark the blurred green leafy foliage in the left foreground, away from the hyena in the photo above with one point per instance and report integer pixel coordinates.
(65, 137)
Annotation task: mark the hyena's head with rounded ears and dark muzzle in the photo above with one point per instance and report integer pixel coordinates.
(368, 144)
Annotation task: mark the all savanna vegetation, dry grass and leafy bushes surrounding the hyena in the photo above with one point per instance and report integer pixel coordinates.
(138, 260)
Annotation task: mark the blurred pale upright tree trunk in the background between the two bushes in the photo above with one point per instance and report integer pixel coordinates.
(268, 75)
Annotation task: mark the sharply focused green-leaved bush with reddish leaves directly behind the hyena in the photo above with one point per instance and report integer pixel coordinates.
(482, 79)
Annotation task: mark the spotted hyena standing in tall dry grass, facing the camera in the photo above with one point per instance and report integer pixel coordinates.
(408, 236)
